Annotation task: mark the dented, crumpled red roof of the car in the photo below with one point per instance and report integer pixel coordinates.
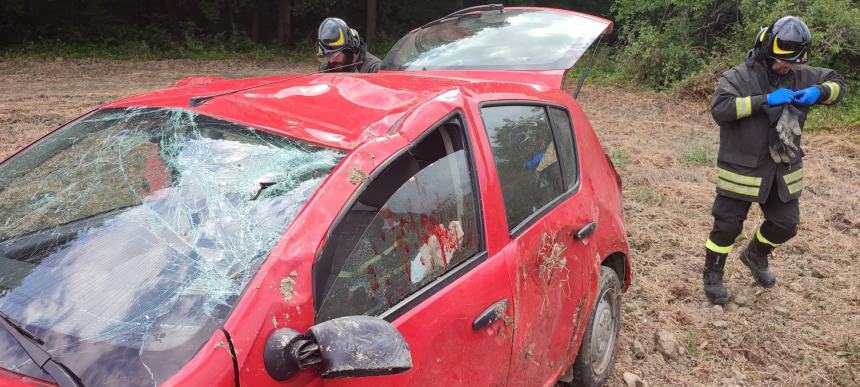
(338, 110)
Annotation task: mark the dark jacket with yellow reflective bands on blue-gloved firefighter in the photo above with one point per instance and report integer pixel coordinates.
(746, 170)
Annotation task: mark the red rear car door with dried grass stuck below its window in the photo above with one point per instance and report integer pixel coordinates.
(536, 165)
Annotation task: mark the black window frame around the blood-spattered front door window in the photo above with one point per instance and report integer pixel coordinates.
(446, 278)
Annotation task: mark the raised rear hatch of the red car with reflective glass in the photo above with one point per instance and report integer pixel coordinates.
(513, 39)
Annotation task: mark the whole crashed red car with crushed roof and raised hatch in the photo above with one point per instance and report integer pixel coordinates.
(452, 220)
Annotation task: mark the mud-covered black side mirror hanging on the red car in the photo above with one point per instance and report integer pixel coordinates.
(344, 347)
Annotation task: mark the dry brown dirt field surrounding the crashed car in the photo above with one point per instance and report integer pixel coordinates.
(804, 331)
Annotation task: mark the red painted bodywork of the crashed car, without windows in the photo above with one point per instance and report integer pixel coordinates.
(445, 350)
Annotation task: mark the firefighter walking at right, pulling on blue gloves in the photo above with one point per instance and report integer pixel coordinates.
(760, 159)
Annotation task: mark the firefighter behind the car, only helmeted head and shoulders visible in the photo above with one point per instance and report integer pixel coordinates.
(342, 50)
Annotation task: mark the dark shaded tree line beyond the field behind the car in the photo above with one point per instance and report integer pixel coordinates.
(279, 22)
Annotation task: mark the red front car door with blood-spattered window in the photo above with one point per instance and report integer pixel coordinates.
(412, 251)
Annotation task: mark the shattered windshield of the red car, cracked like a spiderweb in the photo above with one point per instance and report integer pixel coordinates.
(127, 237)
